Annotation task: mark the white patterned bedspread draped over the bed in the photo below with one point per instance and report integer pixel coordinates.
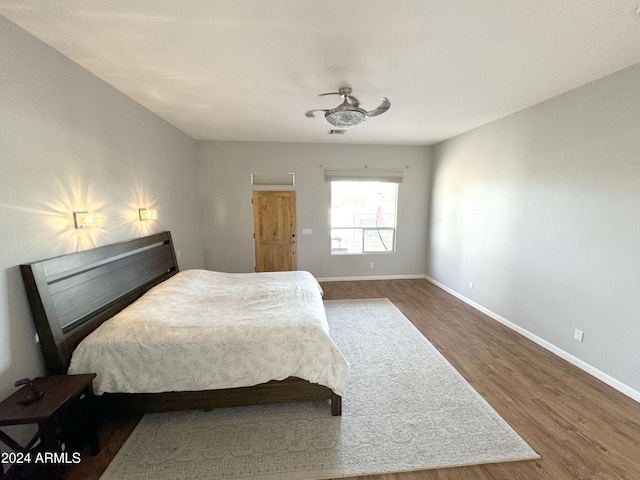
(202, 330)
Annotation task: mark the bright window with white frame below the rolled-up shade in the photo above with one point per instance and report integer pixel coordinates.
(363, 217)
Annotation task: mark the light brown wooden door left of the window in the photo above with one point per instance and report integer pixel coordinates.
(274, 231)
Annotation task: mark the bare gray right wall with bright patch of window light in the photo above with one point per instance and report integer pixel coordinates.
(541, 211)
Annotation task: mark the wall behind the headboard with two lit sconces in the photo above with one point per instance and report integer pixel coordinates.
(68, 142)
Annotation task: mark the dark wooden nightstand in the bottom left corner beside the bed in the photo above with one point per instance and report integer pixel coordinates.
(60, 391)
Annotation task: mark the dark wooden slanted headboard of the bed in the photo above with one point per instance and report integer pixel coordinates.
(71, 295)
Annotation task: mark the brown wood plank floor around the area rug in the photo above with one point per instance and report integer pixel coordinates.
(581, 428)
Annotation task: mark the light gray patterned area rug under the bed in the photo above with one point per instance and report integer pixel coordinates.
(406, 409)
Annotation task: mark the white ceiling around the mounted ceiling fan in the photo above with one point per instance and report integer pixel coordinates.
(247, 70)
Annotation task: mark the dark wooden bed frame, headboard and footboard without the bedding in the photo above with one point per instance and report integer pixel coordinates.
(72, 295)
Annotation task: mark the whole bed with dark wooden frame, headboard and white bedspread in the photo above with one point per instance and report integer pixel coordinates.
(131, 294)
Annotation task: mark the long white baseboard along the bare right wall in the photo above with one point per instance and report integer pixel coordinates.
(600, 375)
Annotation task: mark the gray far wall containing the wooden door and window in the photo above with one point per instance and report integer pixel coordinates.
(225, 194)
